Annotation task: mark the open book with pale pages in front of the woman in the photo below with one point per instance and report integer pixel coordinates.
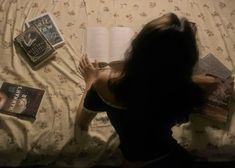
(106, 45)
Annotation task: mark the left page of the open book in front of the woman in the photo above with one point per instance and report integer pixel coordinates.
(97, 44)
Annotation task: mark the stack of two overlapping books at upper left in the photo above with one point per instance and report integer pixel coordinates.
(40, 39)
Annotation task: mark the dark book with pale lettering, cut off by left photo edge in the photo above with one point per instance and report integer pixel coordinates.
(20, 100)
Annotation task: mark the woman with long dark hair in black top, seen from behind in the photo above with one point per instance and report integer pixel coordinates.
(150, 94)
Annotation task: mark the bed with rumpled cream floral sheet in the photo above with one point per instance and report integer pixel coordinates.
(53, 138)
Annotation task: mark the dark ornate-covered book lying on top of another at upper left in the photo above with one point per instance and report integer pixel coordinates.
(36, 47)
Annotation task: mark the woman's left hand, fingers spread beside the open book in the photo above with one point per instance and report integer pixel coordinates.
(89, 71)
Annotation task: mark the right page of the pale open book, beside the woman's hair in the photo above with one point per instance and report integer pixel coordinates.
(120, 39)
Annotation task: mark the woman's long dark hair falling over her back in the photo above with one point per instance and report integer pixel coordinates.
(157, 72)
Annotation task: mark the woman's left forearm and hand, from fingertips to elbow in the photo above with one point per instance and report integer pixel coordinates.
(90, 73)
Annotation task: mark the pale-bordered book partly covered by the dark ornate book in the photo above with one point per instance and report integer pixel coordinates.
(46, 24)
